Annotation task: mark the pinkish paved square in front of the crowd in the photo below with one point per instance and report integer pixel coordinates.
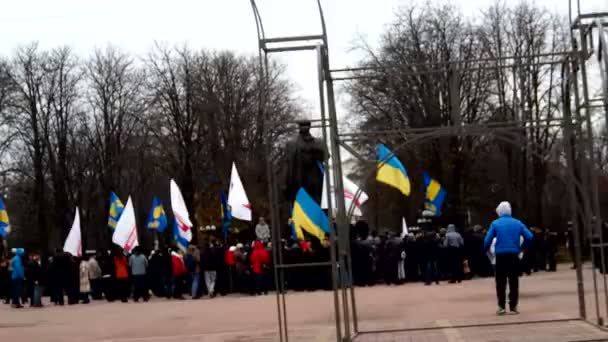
(544, 296)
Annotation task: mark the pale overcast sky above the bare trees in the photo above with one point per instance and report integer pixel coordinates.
(134, 25)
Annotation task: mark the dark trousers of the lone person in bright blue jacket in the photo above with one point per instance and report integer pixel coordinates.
(507, 269)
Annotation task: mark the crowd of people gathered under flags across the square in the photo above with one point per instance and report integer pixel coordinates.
(214, 269)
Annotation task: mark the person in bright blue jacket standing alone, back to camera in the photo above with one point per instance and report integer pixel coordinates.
(508, 232)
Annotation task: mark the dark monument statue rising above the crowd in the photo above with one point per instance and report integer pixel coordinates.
(304, 153)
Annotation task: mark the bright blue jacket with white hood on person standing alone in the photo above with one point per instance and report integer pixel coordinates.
(507, 231)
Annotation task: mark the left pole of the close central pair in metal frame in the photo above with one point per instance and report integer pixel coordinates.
(334, 271)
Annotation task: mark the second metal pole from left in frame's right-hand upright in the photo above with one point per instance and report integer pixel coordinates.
(591, 165)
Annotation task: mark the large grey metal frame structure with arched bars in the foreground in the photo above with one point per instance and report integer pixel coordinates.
(575, 124)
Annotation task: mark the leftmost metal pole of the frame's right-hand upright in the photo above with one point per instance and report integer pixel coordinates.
(572, 188)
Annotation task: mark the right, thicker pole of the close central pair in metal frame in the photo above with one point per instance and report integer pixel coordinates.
(341, 219)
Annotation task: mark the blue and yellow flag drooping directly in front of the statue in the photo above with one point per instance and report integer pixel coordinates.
(307, 215)
